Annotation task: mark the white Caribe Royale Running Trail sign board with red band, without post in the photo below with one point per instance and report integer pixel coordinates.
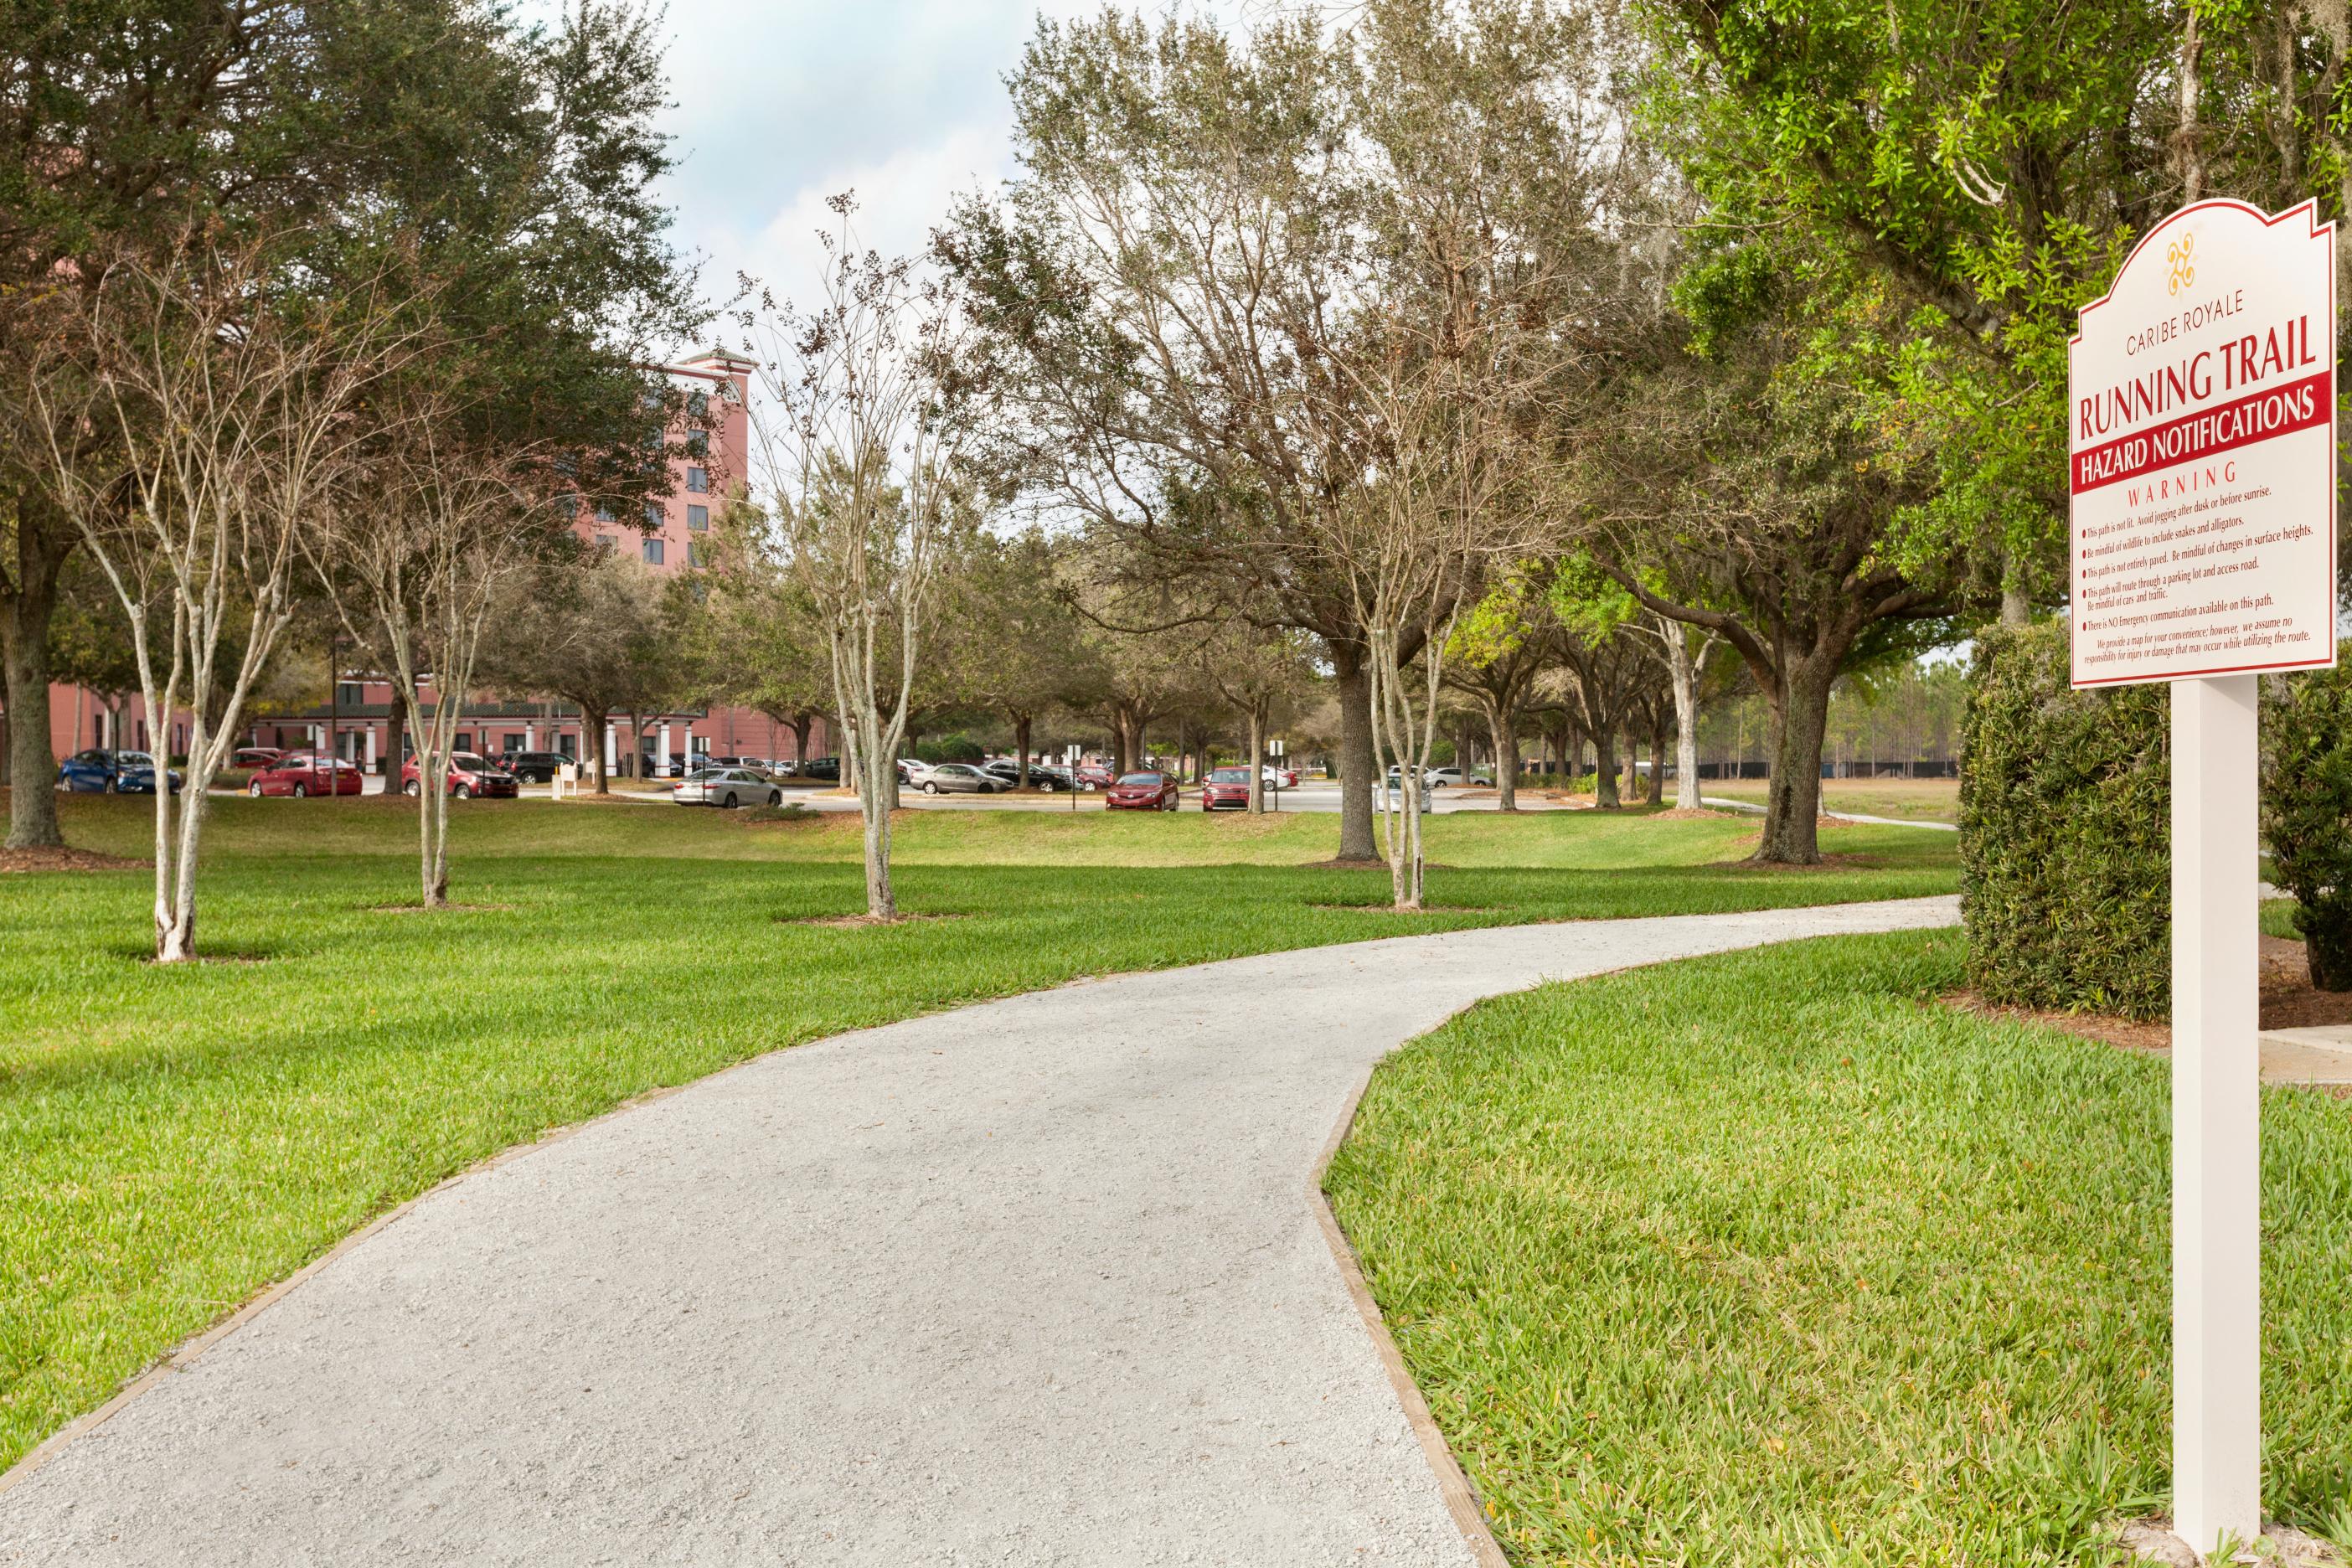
(2203, 453)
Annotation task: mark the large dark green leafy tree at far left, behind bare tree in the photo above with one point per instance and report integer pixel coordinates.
(519, 161)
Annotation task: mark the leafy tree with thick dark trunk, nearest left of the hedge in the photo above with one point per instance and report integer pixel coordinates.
(1749, 495)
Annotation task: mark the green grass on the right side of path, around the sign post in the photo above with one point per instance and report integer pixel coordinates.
(1768, 1259)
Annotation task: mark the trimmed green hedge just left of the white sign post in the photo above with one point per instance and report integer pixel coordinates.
(2064, 833)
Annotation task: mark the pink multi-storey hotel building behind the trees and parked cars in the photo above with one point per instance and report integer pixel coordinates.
(356, 721)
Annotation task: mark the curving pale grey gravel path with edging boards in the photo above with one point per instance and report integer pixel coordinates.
(1031, 1282)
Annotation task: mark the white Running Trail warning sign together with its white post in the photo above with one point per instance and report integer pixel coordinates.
(2203, 448)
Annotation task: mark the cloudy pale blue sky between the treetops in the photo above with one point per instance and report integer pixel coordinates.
(787, 102)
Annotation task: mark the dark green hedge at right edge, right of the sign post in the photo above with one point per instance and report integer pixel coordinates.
(2308, 810)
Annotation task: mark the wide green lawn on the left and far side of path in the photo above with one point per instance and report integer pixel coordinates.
(175, 1139)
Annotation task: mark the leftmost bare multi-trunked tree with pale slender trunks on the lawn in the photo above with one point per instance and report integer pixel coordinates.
(229, 401)
